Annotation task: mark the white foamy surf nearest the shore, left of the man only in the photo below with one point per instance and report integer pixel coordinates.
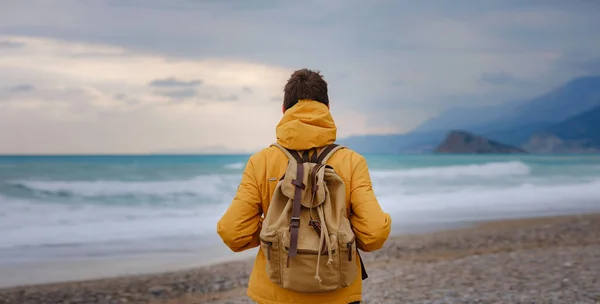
(28, 223)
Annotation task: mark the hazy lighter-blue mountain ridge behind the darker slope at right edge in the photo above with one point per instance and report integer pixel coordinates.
(513, 123)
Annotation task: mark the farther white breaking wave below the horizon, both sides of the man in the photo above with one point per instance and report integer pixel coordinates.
(218, 188)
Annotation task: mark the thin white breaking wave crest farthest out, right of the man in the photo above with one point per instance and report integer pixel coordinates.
(488, 170)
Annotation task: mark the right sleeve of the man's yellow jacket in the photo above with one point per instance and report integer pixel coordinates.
(370, 224)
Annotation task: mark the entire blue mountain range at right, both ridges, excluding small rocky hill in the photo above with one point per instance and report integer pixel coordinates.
(561, 121)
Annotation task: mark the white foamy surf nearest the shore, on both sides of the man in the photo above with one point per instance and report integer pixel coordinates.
(31, 224)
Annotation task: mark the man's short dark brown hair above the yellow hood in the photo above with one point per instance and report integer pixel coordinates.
(305, 84)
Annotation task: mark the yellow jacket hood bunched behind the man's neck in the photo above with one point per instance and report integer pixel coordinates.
(306, 125)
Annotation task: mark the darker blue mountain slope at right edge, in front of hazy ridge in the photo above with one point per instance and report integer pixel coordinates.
(578, 134)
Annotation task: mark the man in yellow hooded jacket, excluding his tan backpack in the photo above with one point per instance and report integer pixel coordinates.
(306, 124)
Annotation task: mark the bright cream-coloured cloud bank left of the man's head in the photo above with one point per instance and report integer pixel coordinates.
(104, 104)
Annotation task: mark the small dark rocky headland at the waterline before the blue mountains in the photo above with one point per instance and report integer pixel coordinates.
(467, 143)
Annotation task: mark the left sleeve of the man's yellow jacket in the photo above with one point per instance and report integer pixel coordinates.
(239, 227)
